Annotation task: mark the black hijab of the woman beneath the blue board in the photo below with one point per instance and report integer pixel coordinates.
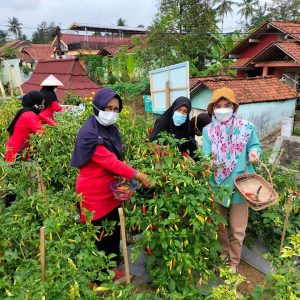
(165, 123)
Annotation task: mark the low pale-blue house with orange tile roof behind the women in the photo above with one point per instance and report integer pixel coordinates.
(264, 101)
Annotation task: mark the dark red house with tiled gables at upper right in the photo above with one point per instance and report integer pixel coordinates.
(272, 49)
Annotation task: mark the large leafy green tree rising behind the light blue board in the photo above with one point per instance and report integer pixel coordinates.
(181, 31)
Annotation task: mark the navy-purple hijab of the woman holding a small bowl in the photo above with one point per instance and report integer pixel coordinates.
(92, 133)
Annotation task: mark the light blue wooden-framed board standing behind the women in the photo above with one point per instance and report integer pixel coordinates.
(167, 84)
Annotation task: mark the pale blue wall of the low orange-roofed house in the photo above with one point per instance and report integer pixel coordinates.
(266, 116)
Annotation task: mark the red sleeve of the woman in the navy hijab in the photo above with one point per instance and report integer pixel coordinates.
(110, 162)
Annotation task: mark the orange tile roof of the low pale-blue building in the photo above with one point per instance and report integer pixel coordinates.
(257, 89)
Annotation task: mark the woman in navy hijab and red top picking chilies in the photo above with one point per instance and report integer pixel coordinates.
(98, 155)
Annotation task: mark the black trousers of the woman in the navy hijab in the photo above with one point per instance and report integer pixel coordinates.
(110, 243)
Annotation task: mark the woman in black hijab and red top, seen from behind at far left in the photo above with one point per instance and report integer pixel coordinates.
(25, 123)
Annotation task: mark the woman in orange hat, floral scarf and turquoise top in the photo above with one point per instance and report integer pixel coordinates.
(232, 142)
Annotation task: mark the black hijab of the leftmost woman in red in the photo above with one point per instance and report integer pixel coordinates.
(30, 101)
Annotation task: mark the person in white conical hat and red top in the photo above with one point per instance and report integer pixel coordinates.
(49, 86)
